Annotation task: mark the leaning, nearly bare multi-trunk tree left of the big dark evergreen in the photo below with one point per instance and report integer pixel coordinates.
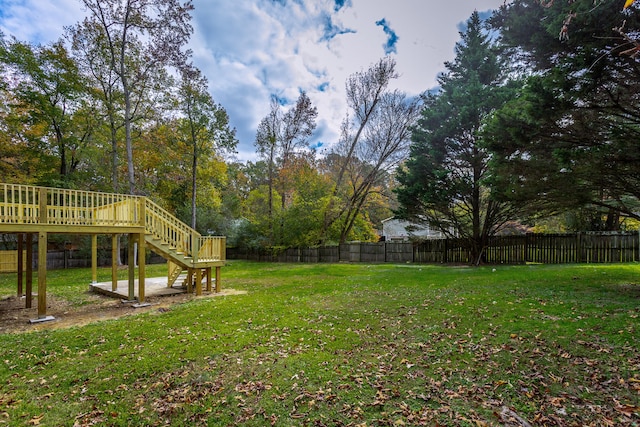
(375, 137)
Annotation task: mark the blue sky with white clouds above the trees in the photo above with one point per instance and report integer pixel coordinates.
(251, 49)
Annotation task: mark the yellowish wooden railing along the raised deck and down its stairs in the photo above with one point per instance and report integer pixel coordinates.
(25, 204)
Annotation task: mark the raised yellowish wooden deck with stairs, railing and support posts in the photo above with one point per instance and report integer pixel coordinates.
(33, 213)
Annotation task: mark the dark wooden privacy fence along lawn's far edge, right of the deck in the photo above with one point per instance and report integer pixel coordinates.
(534, 248)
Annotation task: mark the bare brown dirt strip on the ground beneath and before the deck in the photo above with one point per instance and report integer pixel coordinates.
(14, 317)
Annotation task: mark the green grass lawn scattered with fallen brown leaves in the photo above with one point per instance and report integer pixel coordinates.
(338, 345)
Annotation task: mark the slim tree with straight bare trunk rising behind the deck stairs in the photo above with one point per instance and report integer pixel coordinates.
(205, 126)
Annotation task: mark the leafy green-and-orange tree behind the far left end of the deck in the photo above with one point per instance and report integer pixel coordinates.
(49, 108)
